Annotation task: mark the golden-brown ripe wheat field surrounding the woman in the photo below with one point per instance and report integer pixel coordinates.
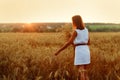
(30, 56)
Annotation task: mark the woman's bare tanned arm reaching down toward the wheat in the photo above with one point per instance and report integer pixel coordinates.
(70, 41)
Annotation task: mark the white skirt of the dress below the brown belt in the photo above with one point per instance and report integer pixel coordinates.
(82, 55)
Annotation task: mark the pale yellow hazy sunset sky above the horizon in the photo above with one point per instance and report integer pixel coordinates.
(14, 11)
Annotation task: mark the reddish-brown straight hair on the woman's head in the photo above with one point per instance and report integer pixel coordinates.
(77, 21)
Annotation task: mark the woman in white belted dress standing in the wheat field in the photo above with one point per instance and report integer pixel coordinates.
(80, 39)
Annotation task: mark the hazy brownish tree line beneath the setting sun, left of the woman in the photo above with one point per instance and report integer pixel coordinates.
(31, 27)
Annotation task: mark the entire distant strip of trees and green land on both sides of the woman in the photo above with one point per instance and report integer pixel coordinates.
(56, 27)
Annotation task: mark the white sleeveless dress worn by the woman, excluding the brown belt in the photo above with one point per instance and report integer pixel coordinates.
(82, 52)
